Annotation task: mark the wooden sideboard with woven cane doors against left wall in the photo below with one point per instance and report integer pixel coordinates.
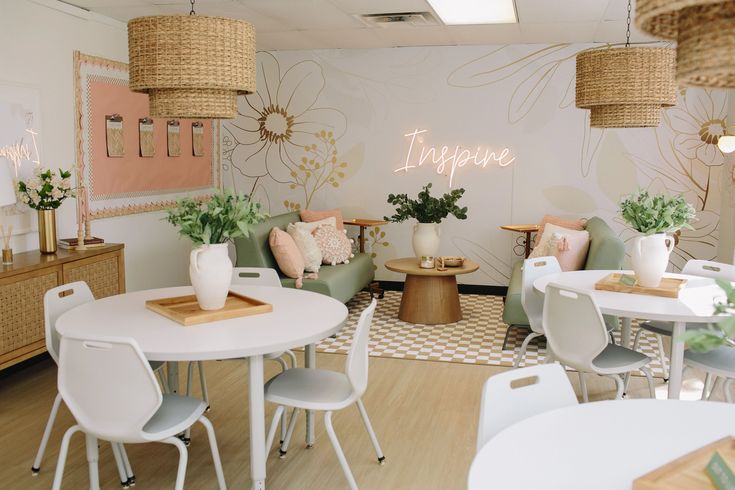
(24, 282)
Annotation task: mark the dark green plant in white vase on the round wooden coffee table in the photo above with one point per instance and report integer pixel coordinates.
(429, 211)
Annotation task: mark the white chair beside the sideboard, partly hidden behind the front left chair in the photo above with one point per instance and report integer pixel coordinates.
(56, 301)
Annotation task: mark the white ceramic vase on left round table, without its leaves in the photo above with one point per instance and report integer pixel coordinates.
(210, 271)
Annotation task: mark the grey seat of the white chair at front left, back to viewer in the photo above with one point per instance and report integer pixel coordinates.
(175, 414)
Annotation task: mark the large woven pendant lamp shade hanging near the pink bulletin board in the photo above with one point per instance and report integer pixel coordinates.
(191, 66)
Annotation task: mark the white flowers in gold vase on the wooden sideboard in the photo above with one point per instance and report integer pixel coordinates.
(45, 192)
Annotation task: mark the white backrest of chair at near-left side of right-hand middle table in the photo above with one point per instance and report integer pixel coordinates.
(574, 326)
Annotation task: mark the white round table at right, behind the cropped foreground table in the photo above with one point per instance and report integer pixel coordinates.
(695, 304)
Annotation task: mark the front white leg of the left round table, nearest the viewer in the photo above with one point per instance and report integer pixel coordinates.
(257, 422)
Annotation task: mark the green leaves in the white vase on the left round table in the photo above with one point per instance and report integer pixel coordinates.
(225, 216)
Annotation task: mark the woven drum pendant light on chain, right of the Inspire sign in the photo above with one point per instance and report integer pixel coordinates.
(625, 87)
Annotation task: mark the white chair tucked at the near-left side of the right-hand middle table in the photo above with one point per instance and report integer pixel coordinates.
(576, 332)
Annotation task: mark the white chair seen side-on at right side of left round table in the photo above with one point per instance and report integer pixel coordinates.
(319, 389)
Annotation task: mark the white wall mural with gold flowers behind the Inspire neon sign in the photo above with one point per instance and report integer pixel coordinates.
(344, 128)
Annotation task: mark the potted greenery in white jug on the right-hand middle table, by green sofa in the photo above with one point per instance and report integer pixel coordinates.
(654, 217)
